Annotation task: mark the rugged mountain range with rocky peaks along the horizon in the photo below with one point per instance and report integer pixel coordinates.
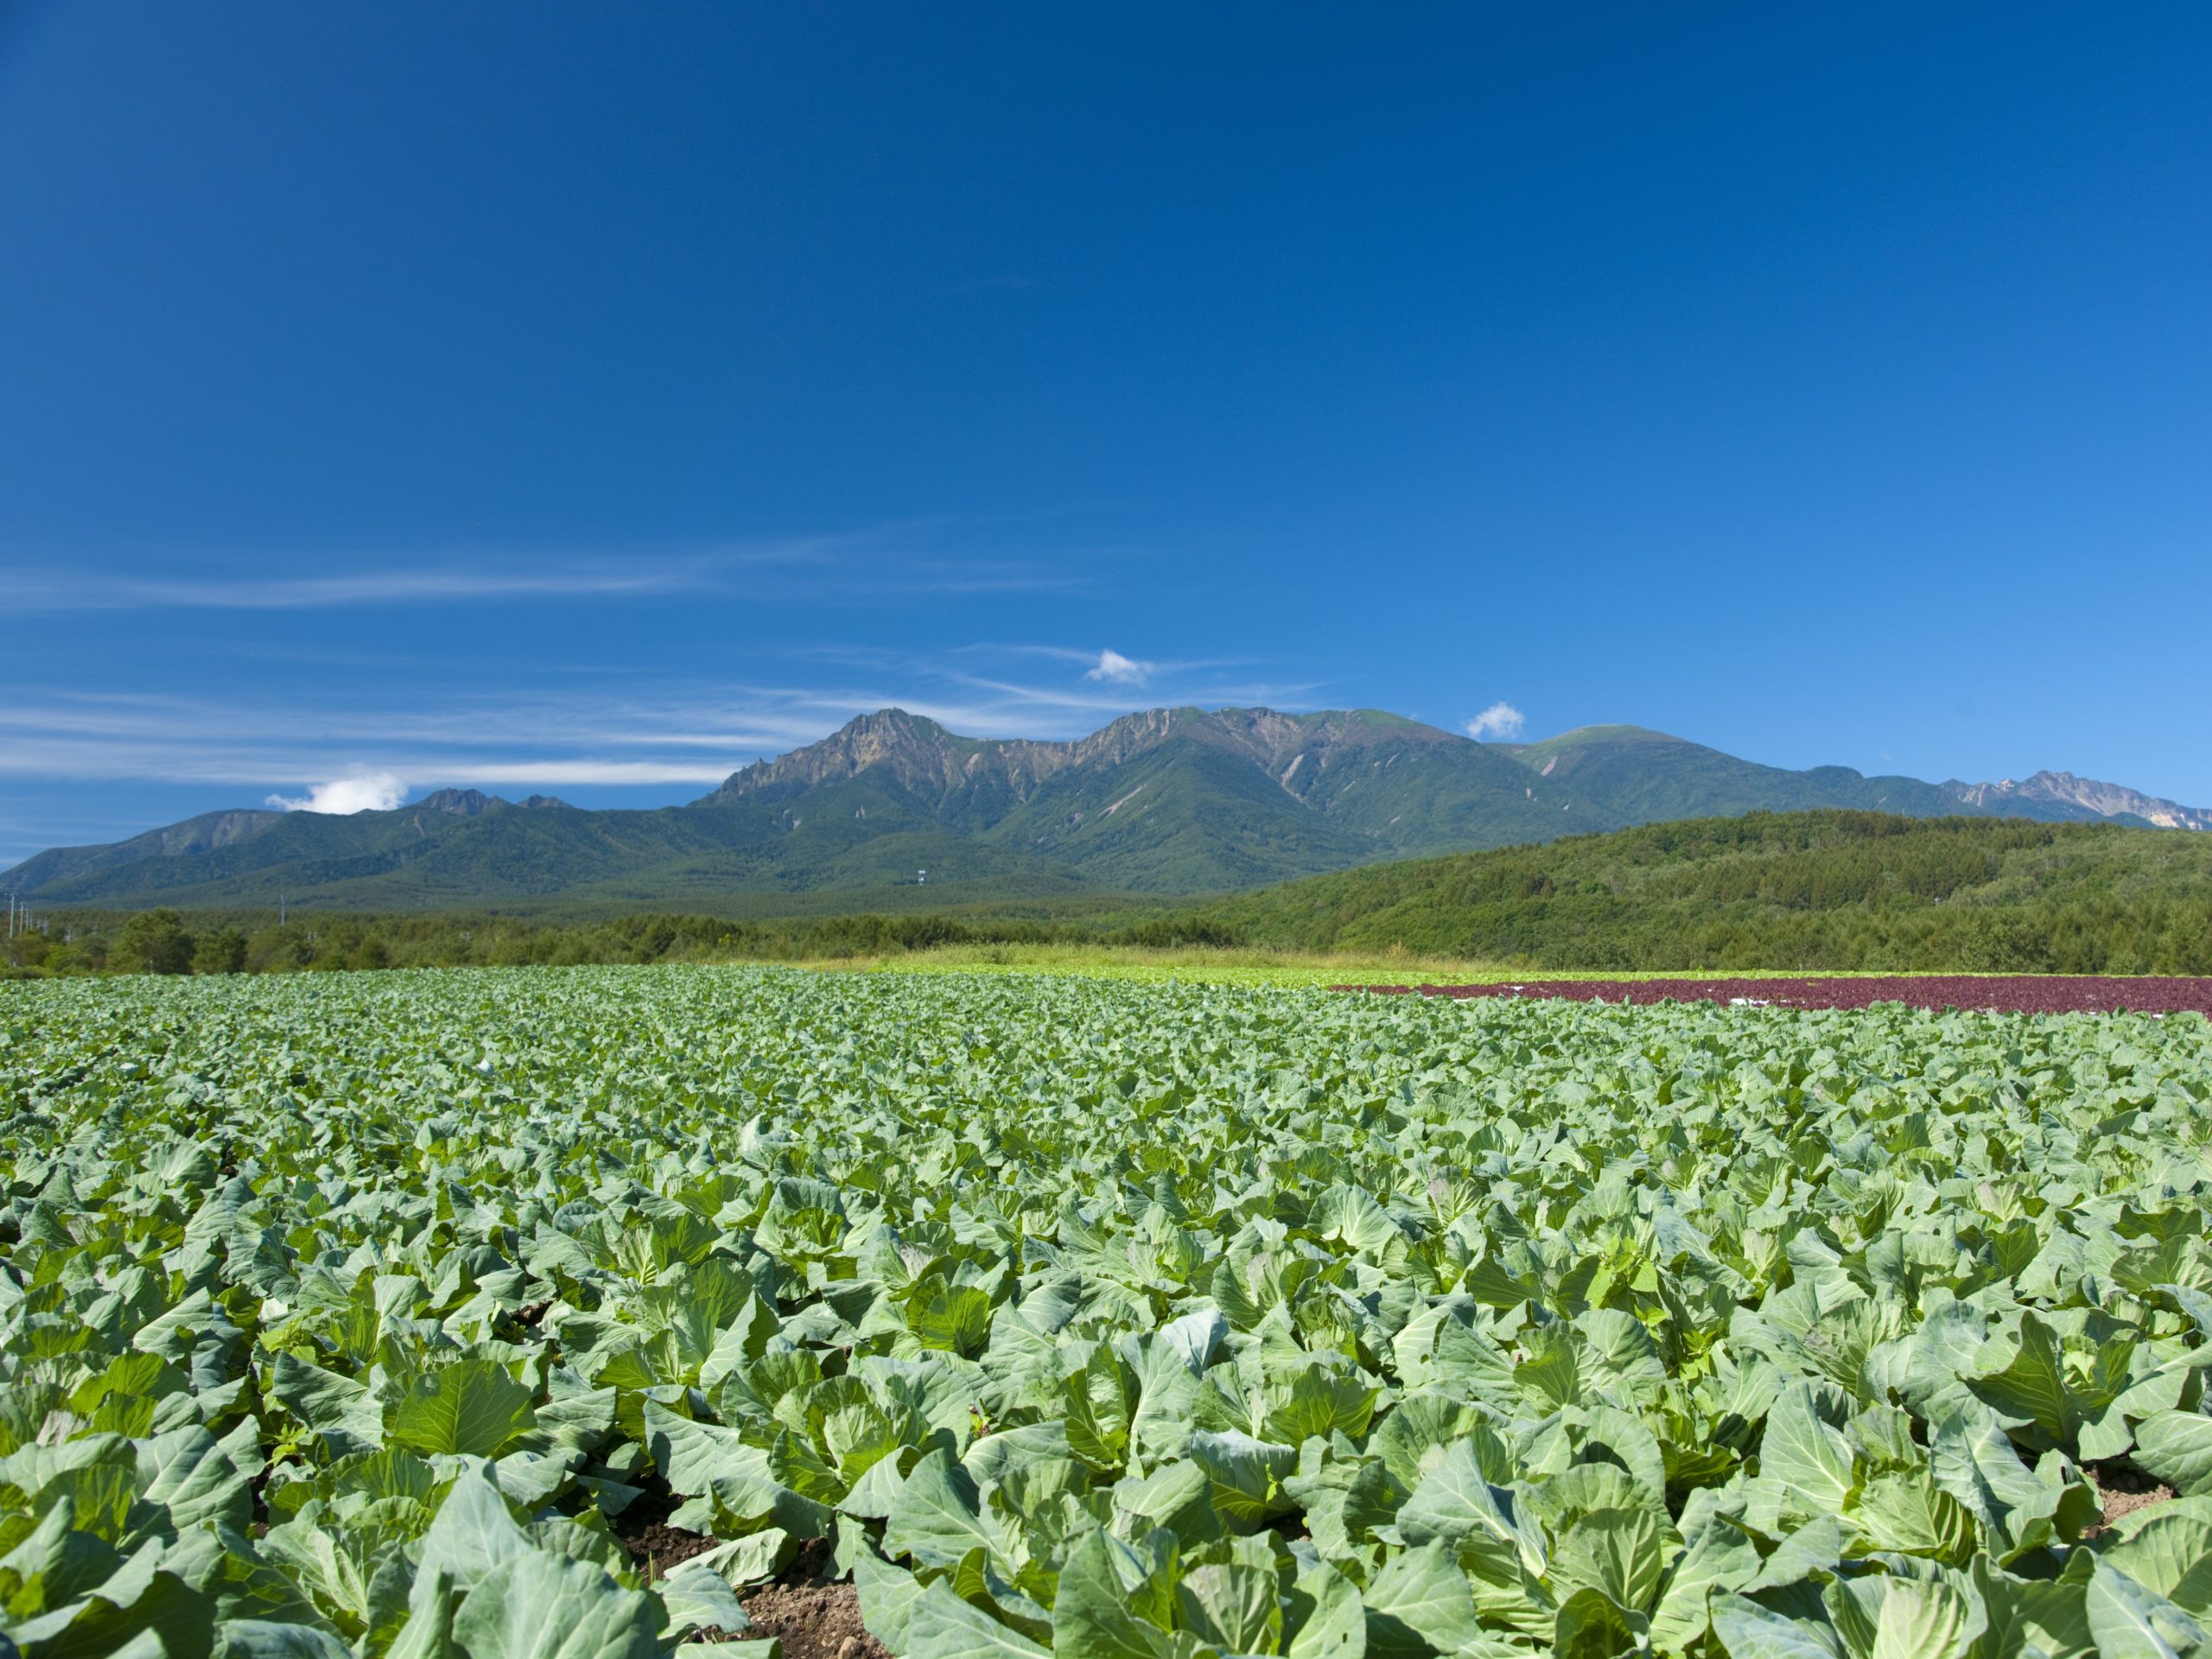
(895, 811)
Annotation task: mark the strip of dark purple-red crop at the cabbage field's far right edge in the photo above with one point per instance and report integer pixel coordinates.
(1994, 994)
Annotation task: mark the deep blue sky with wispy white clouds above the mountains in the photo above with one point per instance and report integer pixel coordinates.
(589, 399)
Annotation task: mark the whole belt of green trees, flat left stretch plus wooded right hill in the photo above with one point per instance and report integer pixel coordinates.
(1808, 890)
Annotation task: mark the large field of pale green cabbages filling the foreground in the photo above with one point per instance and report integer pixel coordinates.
(559, 1313)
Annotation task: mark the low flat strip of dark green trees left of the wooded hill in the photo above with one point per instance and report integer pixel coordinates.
(167, 941)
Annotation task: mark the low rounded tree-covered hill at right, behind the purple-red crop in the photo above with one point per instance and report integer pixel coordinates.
(1806, 890)
